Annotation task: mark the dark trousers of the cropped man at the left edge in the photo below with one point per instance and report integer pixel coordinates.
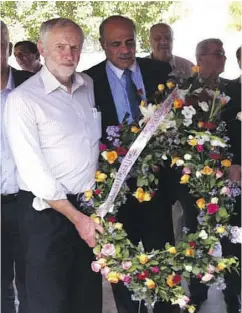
(12, 260)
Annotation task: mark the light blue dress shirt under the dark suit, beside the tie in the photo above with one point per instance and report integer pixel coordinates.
(117, 85)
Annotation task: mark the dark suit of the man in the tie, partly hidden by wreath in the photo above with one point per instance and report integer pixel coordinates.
(149, 221)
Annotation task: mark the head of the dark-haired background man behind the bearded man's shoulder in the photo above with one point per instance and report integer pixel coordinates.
(27, 56)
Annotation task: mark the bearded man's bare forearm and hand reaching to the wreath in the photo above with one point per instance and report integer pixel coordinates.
(85, 226)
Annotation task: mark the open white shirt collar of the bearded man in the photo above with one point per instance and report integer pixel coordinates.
(51, 83)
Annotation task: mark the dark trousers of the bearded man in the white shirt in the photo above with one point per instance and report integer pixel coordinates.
(59, 278)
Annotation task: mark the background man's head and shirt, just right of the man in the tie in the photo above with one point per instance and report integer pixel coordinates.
(161, 41)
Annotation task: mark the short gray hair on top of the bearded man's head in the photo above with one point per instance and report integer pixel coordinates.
(59, 22)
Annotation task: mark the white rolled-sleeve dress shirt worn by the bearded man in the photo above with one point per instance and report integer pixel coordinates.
(54, 136)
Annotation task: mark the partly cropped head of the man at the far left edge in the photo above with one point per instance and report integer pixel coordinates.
(6, 48)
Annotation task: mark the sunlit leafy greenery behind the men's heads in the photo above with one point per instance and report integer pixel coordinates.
(89, 14)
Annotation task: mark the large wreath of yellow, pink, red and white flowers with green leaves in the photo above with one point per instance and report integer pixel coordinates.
(195, 140)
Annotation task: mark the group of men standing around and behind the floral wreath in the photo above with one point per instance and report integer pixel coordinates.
(50, 147)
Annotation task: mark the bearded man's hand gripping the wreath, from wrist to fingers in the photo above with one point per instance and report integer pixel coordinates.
(87, 228)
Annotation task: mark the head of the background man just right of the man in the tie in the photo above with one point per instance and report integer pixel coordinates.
(161, 41)
